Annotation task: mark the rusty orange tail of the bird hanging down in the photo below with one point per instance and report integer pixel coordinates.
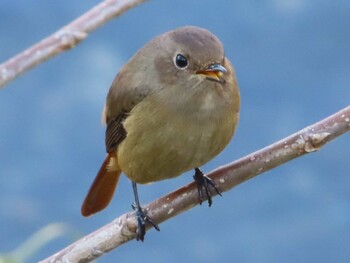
(103, 187)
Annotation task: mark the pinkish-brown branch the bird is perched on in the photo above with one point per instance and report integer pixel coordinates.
(122, 229)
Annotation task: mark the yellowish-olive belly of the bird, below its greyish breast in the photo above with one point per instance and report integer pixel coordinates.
(166, 145)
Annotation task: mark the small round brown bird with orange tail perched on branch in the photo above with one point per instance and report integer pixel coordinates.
(172, 108)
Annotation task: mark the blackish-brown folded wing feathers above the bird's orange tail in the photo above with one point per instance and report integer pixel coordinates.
(115, 132)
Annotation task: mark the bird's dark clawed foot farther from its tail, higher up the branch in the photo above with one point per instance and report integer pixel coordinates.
(204, 182)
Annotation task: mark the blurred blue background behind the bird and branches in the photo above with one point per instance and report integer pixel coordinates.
(292, 59)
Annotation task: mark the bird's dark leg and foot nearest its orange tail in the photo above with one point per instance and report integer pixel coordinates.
(141, 216)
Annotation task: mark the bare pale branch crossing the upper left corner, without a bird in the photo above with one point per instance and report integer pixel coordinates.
(64, 39)
